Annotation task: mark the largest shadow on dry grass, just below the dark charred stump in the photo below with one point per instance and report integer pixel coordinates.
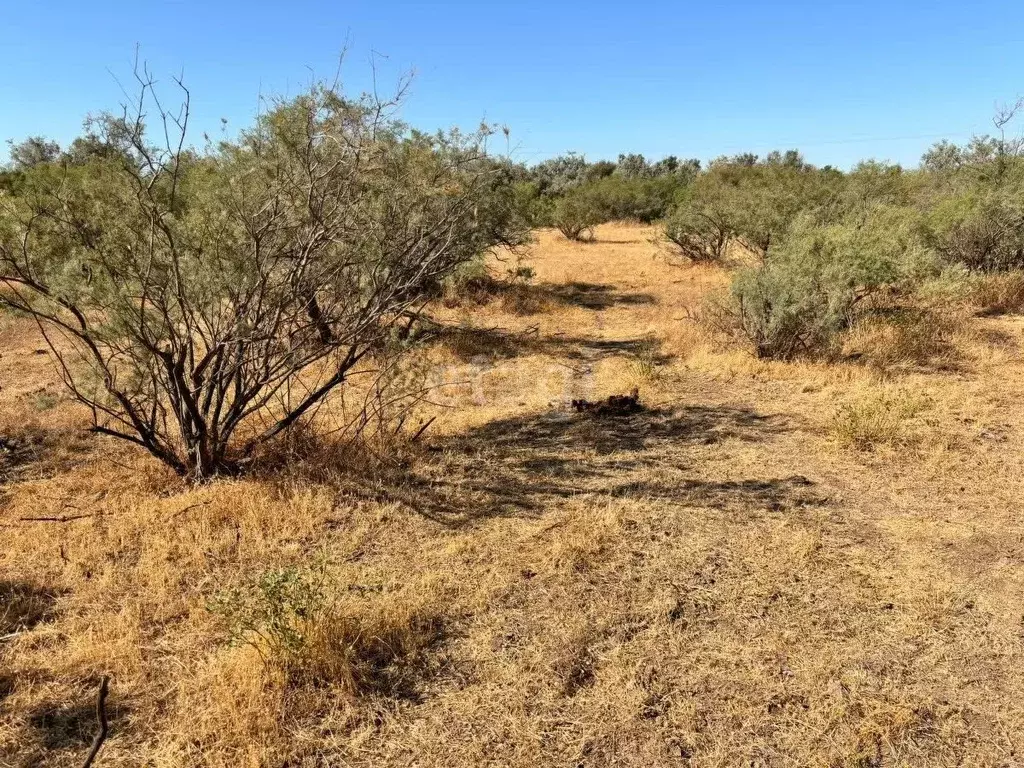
(520, 466)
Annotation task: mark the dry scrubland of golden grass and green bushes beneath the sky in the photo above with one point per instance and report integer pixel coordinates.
(474, 494)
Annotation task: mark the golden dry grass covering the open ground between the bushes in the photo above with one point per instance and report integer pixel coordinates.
(723, 580)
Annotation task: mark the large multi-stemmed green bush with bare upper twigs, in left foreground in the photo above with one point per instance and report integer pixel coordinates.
(186, 294)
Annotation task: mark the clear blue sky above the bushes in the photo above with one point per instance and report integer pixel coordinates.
(840, 80)
